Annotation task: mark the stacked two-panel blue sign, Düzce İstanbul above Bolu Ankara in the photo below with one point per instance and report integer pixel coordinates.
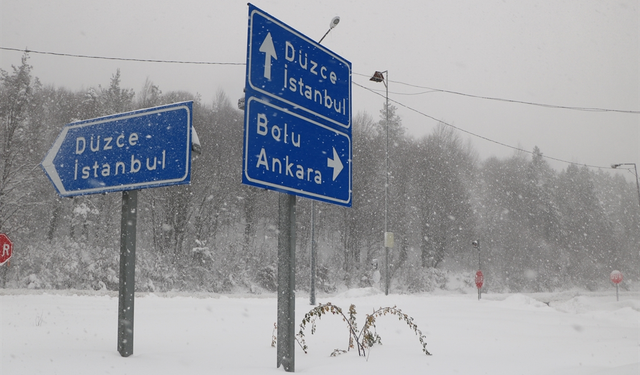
(297, 136)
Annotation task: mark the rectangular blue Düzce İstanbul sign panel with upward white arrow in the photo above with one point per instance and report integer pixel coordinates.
(288, 66)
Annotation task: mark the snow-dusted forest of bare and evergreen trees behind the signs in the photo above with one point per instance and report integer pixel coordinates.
(539, 228)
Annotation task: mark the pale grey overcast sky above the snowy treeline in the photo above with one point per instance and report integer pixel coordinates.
(575, 53)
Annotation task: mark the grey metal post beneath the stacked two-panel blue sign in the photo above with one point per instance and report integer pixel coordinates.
(286, 281)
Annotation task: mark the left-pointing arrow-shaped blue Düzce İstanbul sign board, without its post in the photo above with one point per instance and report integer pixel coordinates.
(127, 151)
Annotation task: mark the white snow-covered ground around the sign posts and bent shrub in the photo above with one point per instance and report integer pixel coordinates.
(67, 332)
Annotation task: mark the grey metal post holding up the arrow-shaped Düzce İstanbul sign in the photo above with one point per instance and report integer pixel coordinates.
(126, 292)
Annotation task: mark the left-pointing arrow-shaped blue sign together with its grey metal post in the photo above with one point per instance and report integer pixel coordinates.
(124, 152)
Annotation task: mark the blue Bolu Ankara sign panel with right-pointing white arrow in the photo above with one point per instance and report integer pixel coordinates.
(287, 152)
